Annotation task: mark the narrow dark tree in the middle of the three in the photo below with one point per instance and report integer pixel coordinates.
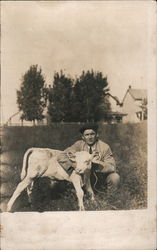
(60, 98)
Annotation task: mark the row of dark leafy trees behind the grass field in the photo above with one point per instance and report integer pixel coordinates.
(67, 100)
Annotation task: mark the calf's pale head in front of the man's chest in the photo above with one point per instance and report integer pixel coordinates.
(82, 159)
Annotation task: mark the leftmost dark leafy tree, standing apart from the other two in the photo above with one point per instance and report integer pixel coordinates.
(30, 96)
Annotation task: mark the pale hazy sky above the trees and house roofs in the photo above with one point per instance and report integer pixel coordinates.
(113, 37)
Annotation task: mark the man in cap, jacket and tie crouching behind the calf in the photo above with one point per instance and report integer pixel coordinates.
(104, 163)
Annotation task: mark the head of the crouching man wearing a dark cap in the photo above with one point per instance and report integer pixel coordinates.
(89, 133)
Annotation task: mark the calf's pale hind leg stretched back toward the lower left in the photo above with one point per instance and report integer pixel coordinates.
(21, 186)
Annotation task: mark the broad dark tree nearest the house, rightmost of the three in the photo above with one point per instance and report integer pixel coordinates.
(89, 102)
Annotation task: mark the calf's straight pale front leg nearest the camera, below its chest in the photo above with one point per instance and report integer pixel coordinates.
(76, 180)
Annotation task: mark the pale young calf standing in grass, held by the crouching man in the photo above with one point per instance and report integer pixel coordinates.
(45, 162)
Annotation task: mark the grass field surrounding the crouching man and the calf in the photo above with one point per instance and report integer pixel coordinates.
(127, 141)
